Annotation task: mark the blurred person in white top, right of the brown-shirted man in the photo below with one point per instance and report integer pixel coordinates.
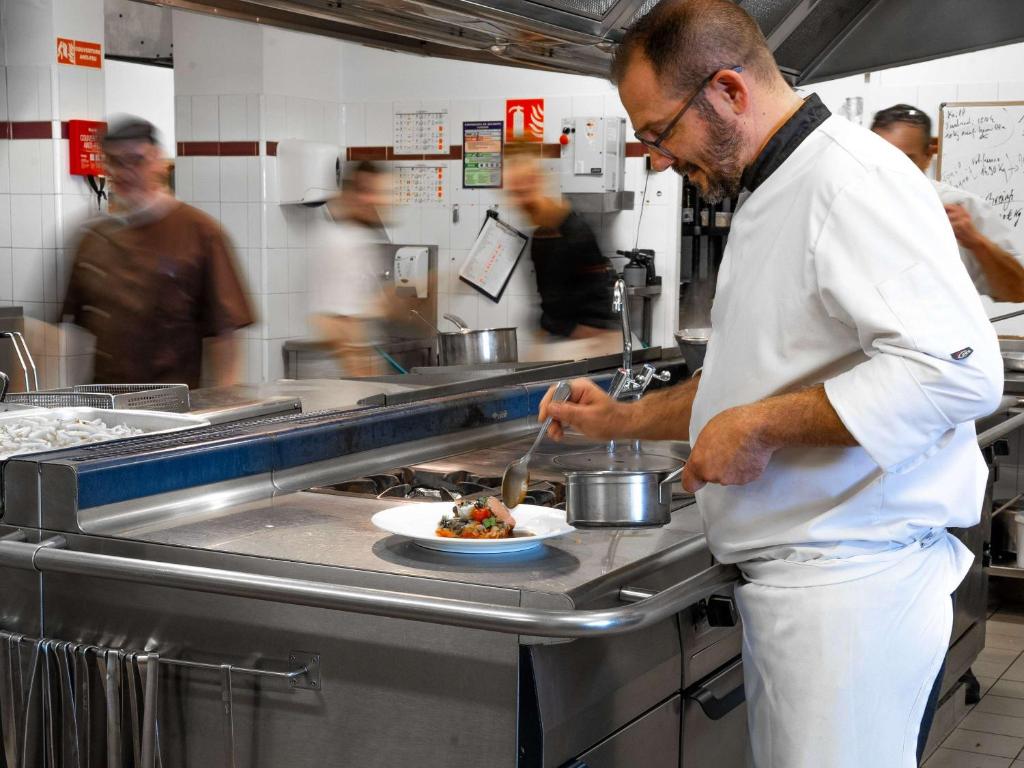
(347, 296)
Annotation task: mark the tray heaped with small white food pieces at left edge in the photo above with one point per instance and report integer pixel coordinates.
(38, 431)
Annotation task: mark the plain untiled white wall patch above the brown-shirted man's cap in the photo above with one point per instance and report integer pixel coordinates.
(145, 92)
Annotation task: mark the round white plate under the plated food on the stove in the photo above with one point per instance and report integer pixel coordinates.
(419, 522)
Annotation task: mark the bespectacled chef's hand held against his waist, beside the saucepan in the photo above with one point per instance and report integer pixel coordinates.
(730, 451)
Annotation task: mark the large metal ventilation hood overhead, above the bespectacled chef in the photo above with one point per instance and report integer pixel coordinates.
(814, 40)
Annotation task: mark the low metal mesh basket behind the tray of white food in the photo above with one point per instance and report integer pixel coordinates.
(167, 398)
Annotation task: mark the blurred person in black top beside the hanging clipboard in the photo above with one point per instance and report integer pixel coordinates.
(574, 278)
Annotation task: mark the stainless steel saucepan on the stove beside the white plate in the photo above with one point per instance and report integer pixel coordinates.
(619, 498)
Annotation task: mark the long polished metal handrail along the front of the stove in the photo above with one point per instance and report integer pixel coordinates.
(49, 558)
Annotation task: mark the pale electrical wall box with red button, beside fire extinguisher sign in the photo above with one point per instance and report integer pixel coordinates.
(593, 155)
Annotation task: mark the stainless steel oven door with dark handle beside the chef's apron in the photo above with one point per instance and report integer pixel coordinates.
(715, 721)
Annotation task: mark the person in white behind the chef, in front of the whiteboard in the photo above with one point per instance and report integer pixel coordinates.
(987, 245)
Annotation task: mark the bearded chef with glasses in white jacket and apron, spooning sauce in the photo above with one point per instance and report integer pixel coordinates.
(832, 430)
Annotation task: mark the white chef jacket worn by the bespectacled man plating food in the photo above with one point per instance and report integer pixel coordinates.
(842, 269)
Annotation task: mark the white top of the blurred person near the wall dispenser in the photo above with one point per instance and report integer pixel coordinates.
(342, 270)
